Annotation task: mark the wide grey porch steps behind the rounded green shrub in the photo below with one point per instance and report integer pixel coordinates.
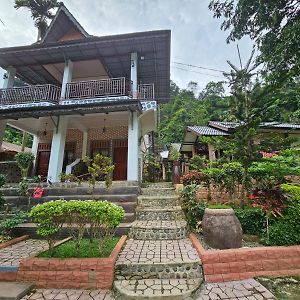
(121, 193)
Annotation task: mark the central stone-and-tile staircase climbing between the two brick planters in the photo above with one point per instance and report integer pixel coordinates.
(158, 261)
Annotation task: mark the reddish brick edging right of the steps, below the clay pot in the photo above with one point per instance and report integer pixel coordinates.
(244, 263)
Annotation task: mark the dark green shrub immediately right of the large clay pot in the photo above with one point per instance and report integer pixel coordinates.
(252, 219)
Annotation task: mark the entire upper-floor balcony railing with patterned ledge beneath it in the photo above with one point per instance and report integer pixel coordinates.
(76, 93)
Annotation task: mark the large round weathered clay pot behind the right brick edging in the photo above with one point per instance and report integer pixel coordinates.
(222, 229)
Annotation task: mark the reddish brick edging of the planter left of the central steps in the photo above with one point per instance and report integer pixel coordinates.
(70, 273)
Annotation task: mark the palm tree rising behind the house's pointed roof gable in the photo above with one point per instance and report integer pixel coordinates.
(40, 12)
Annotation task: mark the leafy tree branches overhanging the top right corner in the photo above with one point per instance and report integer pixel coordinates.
(273, 25)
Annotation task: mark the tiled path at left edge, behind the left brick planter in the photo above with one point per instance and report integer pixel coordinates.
(12, 255)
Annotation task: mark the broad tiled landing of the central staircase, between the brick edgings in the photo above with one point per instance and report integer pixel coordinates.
(160, 251)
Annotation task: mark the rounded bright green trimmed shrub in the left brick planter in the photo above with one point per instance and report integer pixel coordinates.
(103, 217)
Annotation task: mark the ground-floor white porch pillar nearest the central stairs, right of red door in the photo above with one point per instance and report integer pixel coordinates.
(133, 147)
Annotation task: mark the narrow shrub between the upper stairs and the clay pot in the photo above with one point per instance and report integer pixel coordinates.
(191, 206)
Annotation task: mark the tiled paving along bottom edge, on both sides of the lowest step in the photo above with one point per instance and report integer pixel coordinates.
(241, 290)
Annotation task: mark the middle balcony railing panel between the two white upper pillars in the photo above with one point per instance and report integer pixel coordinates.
(112, 87)
